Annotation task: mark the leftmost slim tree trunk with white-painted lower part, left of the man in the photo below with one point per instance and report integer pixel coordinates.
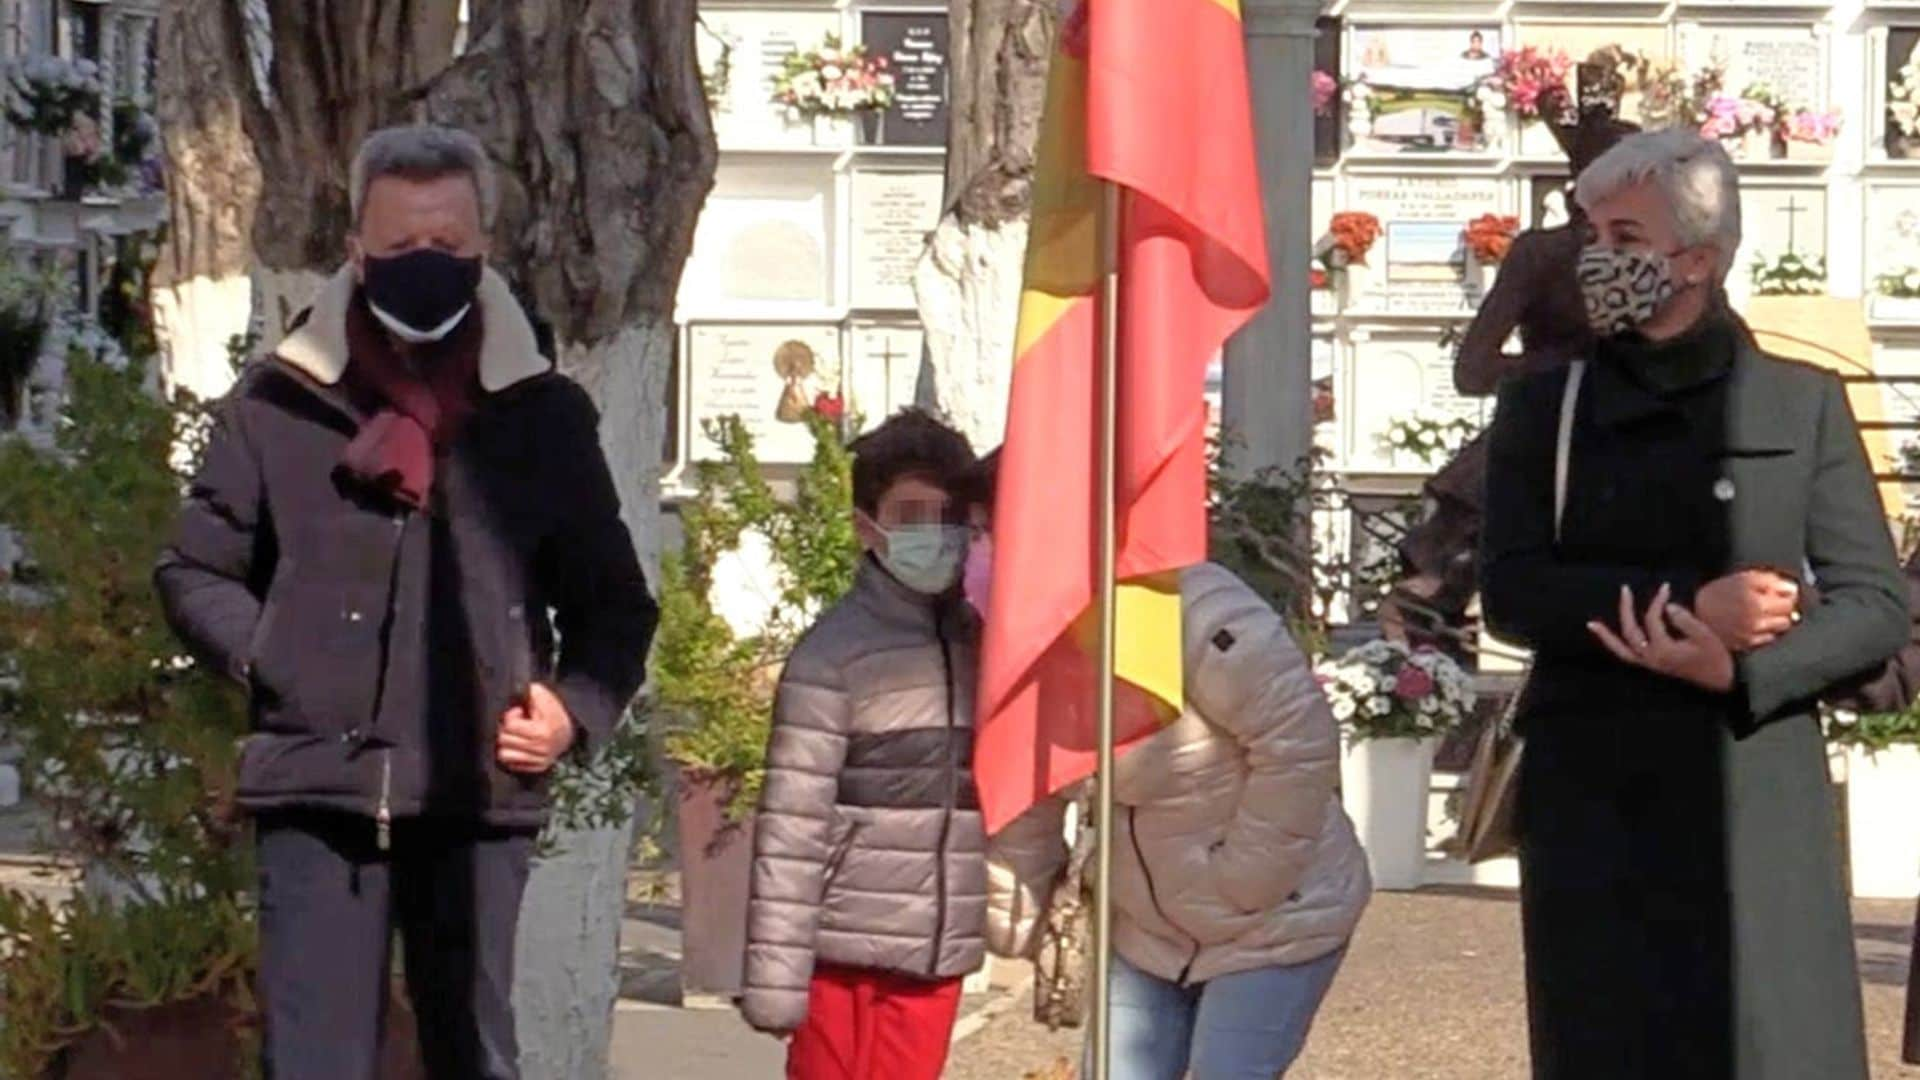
(201, 283)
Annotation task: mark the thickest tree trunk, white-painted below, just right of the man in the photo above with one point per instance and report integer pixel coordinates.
(594, 112)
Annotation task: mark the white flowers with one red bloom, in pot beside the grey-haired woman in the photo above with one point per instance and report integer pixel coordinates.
(1387, 691)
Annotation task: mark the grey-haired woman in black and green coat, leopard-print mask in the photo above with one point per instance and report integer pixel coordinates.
(1683, 896)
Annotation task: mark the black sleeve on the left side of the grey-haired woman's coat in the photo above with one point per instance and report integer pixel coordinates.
(1529, 593)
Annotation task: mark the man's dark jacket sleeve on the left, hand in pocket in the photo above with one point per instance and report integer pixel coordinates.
(216, 572)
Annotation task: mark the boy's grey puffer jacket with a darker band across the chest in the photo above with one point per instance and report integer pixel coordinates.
(869, 848)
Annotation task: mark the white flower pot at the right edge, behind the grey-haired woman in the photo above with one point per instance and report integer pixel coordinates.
(1884, 822)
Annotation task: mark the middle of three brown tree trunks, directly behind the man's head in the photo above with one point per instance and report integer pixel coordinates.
(318, 80)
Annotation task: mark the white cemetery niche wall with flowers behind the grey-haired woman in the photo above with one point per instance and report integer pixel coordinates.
(1429, 139)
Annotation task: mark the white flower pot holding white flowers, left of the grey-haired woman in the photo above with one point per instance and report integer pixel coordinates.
(1383, 783)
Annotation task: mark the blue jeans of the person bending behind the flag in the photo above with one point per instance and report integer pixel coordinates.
(1239, 1027)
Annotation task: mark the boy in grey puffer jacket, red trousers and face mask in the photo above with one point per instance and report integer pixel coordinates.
(871, 879)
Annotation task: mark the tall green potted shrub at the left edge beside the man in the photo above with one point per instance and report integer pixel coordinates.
(128, 747)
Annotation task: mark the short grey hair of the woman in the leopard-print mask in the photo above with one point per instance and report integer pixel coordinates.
(1694, 174)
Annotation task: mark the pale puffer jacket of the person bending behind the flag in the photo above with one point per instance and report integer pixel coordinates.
(1234, 850)
